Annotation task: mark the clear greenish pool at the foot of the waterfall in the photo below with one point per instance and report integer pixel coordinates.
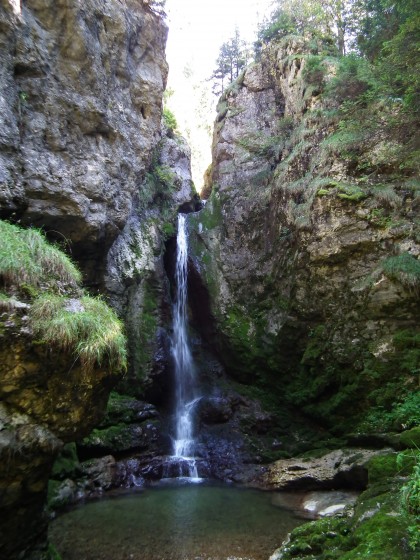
(189, 522)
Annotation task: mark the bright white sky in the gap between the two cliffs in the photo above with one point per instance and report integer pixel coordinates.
(197, 29)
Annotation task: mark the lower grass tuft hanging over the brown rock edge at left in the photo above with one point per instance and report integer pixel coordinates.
(86, 326)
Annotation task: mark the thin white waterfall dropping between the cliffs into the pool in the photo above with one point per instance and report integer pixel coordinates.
(185, 392)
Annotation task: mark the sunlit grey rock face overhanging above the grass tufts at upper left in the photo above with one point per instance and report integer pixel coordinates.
(80, 112)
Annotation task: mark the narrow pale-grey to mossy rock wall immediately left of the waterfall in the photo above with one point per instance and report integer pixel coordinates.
(135, 278)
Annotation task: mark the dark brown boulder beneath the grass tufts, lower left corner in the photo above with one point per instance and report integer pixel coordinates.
(46, 399)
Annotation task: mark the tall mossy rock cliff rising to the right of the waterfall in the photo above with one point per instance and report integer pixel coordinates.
(296, 246)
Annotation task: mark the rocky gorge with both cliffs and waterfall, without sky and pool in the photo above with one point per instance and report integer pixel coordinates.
(284, 333)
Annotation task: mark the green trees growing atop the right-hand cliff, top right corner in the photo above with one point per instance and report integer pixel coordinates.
(382, 38)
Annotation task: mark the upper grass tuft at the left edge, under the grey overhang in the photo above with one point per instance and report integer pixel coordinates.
(26, 257)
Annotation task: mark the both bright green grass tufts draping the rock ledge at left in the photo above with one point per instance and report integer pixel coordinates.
(60, 313)
